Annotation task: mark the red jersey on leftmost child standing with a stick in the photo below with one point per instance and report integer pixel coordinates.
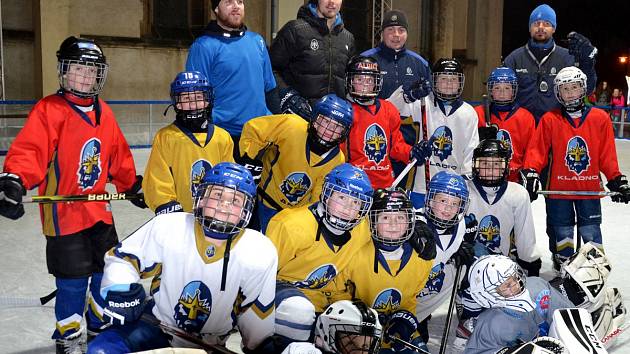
(66, 151)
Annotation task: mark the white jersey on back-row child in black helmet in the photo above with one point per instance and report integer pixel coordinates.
(454, 137)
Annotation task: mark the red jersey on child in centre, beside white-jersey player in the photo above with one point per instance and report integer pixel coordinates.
(374, 140)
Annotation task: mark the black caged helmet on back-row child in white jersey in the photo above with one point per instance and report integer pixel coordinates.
(443, 69)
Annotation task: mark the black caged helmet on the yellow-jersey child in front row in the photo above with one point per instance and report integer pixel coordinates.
(391, 218)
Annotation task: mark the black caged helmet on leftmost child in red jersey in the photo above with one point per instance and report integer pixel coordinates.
(81, 67)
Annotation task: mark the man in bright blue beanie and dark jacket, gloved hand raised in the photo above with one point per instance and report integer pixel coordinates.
(537, 62)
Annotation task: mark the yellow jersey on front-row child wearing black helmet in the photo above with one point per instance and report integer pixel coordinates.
(385, 285)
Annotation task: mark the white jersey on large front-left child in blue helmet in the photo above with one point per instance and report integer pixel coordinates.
(187, 289)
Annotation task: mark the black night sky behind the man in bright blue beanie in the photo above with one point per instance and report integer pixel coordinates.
(605, 23)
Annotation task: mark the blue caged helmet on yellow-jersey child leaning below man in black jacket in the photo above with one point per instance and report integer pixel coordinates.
(331, 122)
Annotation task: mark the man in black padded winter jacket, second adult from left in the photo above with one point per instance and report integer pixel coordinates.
(309, 56)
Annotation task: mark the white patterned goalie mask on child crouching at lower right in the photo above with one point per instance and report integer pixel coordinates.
(492, 280)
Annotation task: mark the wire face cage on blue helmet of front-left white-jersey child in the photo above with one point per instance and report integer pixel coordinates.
(222, 210)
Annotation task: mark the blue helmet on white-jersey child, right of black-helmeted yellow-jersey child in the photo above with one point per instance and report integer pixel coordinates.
(447, 199)
